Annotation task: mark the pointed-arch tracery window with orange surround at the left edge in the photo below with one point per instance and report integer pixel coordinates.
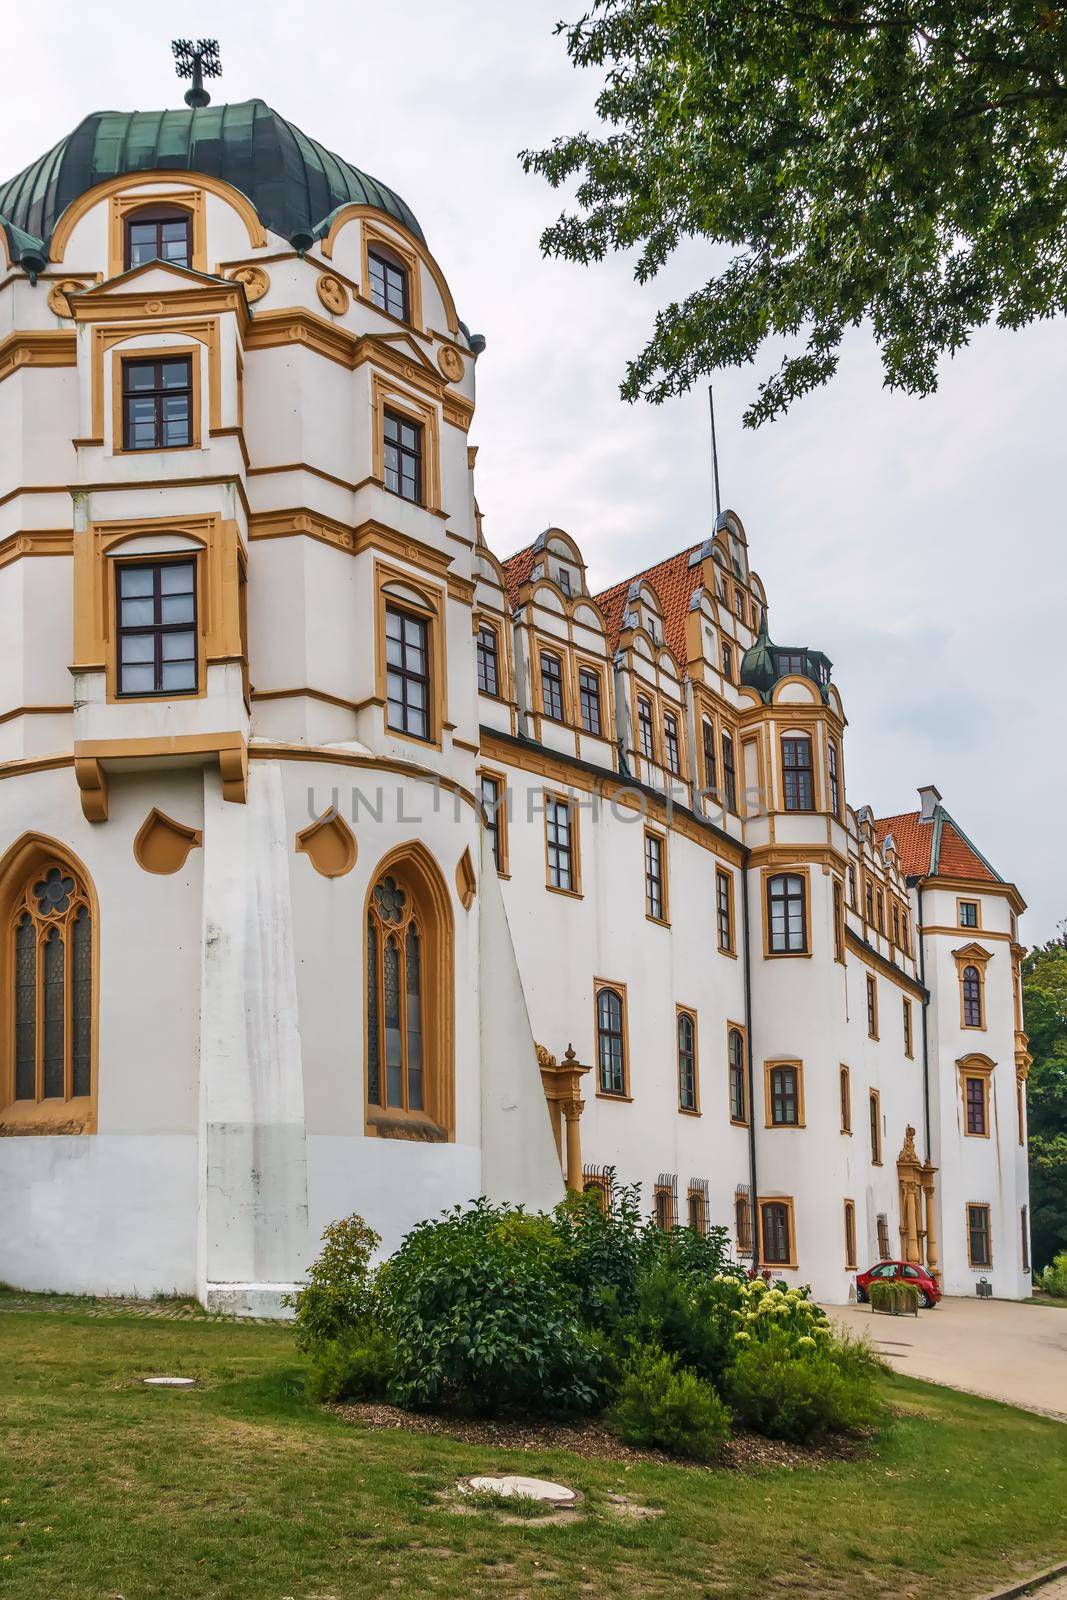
(50, 991)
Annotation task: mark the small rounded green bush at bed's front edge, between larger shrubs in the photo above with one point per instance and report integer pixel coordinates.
(669, 1407)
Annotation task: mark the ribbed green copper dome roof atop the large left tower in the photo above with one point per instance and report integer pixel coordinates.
(294, 183)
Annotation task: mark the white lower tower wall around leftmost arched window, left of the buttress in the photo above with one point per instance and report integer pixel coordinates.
(118, 1210)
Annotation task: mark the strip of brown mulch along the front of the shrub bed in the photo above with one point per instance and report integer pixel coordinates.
(743, 1454)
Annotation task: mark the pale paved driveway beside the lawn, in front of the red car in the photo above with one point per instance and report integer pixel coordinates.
(991, 1348)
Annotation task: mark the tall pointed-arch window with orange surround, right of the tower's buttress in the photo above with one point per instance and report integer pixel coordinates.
(409, 1002)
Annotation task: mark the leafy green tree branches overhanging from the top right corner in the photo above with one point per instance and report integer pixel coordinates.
(898, 161)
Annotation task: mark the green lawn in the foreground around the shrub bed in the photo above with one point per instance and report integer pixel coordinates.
(239, 1490)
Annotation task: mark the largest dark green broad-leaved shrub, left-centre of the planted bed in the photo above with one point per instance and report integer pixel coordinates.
(481, 1314)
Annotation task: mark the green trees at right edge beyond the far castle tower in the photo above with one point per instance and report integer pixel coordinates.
(1045, 1018)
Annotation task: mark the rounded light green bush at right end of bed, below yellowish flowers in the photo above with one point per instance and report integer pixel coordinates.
(804, 1391)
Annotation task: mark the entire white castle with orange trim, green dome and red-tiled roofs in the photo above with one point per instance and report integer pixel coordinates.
(346, 866)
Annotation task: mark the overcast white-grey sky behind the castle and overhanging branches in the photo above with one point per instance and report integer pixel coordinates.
(919, 543)
